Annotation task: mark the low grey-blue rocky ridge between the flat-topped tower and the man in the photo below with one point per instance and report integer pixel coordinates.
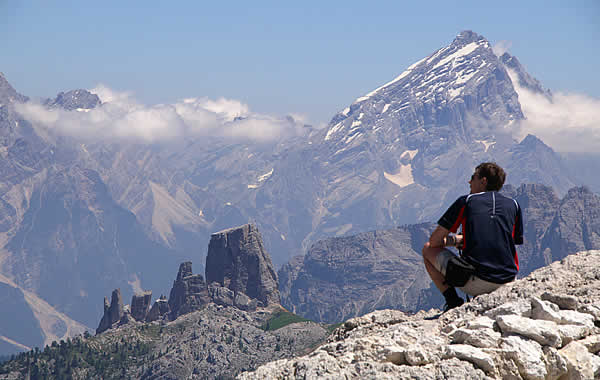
(345, 277)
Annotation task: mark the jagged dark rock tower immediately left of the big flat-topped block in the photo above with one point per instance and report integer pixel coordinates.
(189, 291)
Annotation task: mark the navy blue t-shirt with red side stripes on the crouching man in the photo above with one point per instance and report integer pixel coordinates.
(491, 224)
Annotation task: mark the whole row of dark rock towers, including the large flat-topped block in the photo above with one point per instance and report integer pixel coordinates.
(242, 276)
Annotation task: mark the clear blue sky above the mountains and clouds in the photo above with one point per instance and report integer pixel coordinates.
(311, 58)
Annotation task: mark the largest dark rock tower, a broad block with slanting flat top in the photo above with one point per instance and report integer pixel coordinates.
(237, 260)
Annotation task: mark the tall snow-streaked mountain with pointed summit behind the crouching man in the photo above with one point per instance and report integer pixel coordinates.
(405, 150)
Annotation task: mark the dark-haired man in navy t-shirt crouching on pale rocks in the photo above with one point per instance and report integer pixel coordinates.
(491, 225)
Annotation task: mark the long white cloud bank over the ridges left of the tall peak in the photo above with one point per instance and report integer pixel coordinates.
(120, 116)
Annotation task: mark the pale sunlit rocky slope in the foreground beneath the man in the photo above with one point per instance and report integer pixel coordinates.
(544, 326)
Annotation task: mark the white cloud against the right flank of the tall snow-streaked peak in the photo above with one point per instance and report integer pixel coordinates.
(566, 122)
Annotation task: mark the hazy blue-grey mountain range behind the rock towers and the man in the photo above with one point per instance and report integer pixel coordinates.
(80, 217)
